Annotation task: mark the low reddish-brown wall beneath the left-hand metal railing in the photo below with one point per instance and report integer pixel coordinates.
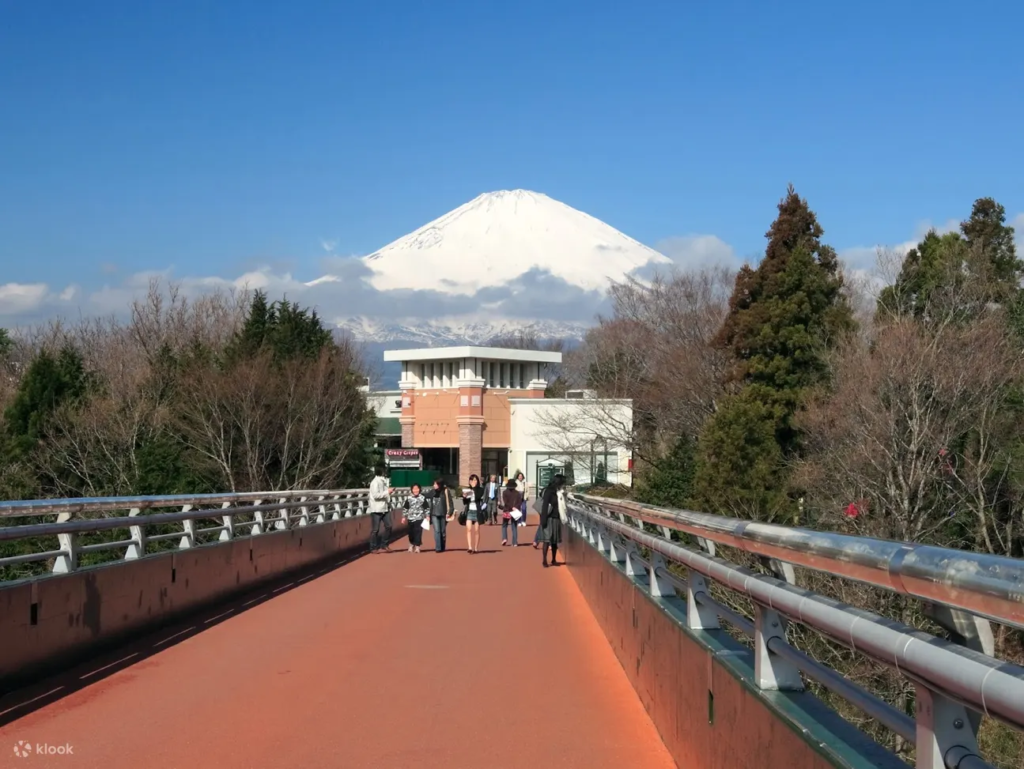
(55, 621)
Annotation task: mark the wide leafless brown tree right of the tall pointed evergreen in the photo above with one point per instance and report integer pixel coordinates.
(884, 439)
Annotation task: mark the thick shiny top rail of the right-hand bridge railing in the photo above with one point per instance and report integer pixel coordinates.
(990, 586)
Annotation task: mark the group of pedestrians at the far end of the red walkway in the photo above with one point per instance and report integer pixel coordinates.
(435, 508)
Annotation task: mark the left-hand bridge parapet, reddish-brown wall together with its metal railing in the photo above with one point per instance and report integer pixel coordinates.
(159, 559)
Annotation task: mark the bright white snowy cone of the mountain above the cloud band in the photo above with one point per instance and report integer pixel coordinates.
(498, 237)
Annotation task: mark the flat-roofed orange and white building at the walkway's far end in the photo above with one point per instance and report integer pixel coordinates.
(459, 407)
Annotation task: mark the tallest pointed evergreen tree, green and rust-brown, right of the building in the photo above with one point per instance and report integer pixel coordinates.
(784, 318)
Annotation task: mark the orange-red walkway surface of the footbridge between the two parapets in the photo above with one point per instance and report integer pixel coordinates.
(399, 660)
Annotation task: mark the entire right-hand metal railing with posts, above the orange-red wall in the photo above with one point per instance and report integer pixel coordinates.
(955, 686)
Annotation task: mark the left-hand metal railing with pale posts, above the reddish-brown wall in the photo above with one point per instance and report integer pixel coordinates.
(152, 528)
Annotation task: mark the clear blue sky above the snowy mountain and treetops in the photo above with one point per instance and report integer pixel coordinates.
(221, 138)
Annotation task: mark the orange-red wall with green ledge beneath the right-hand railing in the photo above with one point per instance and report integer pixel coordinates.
(699, 687)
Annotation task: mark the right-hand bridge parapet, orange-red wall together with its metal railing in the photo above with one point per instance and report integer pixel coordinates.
(954, 687)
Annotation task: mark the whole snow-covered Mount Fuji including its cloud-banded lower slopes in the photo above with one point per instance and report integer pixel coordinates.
(485, 259)
